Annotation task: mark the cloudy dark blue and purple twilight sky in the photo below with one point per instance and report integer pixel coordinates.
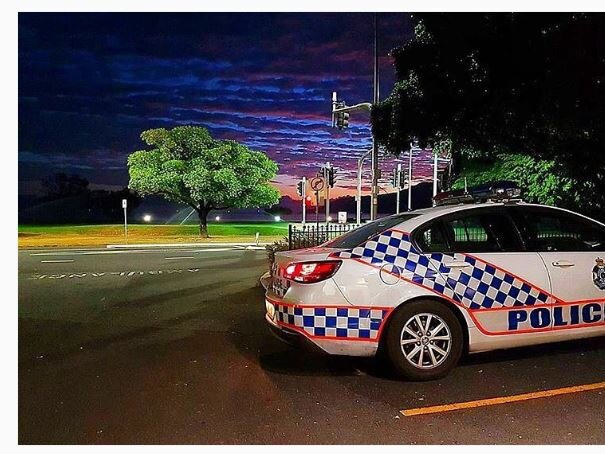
(90, 83)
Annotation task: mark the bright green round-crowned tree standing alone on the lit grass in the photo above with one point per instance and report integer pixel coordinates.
(186, 165)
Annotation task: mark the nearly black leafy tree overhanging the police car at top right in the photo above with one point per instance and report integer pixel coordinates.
(529, 84)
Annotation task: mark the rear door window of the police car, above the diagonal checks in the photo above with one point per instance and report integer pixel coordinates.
(483, 232)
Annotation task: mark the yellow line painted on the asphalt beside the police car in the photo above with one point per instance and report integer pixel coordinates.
(502, 400)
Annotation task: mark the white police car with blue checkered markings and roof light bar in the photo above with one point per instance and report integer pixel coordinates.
(480, 271)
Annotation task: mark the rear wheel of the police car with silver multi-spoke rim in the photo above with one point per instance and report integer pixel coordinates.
(403, 340)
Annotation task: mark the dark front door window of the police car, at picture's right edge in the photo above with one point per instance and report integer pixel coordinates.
(553, 230)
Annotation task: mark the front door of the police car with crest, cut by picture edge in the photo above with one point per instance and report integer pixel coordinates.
(573, 250)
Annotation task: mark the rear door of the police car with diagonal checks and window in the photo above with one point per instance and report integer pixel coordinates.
(491, 274)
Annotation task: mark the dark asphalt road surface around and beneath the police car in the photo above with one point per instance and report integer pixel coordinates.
(170, 346)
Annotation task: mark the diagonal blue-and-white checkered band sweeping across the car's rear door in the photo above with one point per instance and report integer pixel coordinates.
(480, 286)
